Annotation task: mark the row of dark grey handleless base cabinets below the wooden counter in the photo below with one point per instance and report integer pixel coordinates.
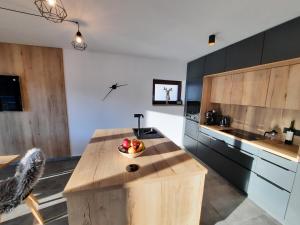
(272, 182)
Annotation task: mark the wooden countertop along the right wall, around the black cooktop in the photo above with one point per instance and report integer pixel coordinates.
(290, 152)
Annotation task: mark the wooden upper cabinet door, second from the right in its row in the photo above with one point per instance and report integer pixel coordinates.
(277, 90)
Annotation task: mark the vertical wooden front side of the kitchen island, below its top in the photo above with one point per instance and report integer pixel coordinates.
(175, 201)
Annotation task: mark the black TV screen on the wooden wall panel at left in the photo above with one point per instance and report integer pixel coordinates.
(10, 93)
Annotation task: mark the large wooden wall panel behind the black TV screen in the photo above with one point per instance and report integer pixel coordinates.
(43, 123)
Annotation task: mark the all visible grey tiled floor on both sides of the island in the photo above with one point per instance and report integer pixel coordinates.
(222, 203)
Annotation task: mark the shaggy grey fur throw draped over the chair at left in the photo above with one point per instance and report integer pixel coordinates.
(15, 189)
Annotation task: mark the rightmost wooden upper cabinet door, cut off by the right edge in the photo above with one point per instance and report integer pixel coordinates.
(293, 88)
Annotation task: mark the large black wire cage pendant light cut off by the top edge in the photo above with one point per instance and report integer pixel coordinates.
(52, 10)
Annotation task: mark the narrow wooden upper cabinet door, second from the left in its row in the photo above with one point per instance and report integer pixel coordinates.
(237, 89)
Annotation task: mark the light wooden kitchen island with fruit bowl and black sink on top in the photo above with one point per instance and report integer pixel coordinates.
(167, 188)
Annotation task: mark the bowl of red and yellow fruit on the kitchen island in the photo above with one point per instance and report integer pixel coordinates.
(131, 148)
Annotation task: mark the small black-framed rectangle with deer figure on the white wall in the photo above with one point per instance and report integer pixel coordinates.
(166, 92)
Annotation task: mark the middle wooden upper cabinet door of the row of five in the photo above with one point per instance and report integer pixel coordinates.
(255, 87)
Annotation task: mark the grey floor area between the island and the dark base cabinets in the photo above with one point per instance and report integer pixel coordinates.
(225, 205)
